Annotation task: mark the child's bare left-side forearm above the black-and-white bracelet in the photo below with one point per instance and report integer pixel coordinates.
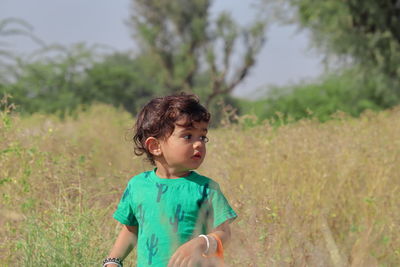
(125, 242)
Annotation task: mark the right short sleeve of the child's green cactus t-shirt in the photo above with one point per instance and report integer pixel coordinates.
(222, 211)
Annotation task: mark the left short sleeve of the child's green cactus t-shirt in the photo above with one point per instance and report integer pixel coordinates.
(124, 213)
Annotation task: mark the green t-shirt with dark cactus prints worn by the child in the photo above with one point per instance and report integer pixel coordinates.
(170, 212)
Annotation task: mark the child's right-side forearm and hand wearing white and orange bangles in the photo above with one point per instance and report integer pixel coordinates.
(191, 252)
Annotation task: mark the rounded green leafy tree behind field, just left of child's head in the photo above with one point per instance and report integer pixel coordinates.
(122, 80)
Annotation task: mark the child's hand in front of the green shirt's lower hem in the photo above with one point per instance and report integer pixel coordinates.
(189, 254)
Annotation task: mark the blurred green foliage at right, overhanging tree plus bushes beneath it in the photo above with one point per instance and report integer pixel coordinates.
(360, 38)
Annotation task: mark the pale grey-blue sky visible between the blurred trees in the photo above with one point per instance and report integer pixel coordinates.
(285, 58)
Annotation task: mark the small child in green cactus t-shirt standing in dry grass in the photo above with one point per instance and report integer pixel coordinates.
(168, 211)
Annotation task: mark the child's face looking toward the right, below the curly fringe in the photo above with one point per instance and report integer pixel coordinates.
(185, 148)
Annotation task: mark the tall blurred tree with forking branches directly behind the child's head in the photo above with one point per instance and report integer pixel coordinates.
(188, 46)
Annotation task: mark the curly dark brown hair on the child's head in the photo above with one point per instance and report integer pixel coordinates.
(157, 119)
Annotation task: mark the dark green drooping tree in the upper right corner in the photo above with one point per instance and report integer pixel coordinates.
(366, 31)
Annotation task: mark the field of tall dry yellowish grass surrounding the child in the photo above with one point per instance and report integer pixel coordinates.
(307, 194)
